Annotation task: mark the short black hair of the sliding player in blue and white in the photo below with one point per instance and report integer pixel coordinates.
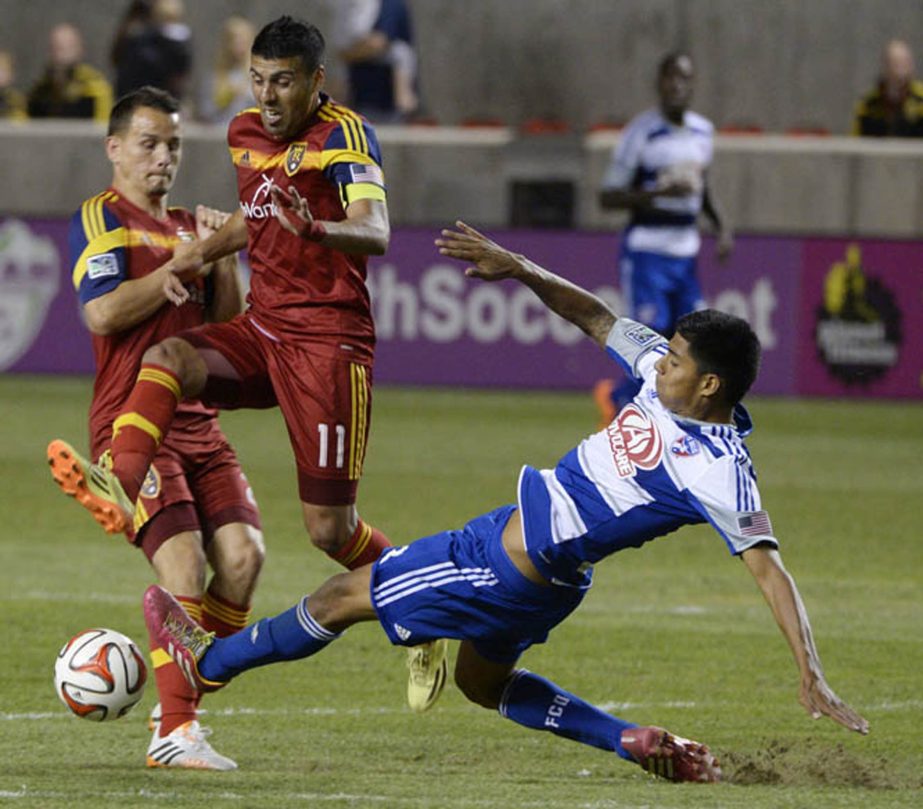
(724, 345)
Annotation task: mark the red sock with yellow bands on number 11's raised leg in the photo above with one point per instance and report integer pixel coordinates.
(145, 419)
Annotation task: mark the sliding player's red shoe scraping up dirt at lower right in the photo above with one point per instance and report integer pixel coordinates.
(672, 757)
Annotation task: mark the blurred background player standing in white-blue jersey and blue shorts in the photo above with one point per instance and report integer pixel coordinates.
(659, 173)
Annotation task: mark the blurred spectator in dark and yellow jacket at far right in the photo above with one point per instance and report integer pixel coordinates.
(894, 109)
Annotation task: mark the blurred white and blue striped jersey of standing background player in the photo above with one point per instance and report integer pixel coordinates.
(651, 150)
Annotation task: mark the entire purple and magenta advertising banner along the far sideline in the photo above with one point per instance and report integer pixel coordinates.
(835, 317)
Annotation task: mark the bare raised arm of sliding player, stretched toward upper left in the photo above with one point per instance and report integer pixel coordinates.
(491, 262)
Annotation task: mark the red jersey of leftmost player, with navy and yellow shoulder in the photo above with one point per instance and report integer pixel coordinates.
(111, 241)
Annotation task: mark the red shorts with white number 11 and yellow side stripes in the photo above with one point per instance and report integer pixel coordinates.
(324, 390)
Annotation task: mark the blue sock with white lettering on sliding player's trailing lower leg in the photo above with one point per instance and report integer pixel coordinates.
(539, 704)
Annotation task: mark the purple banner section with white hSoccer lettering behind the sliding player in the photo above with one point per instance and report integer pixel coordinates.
(435, 326)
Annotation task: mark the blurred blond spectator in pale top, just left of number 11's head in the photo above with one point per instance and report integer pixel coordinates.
(227, 90)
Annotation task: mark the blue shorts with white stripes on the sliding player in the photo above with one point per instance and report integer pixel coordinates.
(461, 584)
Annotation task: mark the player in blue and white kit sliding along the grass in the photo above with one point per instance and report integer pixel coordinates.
(675, 456)
